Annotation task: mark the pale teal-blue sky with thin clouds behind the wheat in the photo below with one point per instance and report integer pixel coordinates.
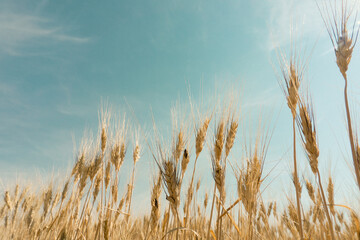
(59, 59)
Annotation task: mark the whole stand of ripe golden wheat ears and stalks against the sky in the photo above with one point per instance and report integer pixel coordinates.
(88, 204)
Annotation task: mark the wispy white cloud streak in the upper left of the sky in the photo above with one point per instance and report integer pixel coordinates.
(19, 30)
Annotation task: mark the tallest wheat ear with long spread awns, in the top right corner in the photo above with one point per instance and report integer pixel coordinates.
(337, 25)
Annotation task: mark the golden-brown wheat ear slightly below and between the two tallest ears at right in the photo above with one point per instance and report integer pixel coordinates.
(305, 121)
